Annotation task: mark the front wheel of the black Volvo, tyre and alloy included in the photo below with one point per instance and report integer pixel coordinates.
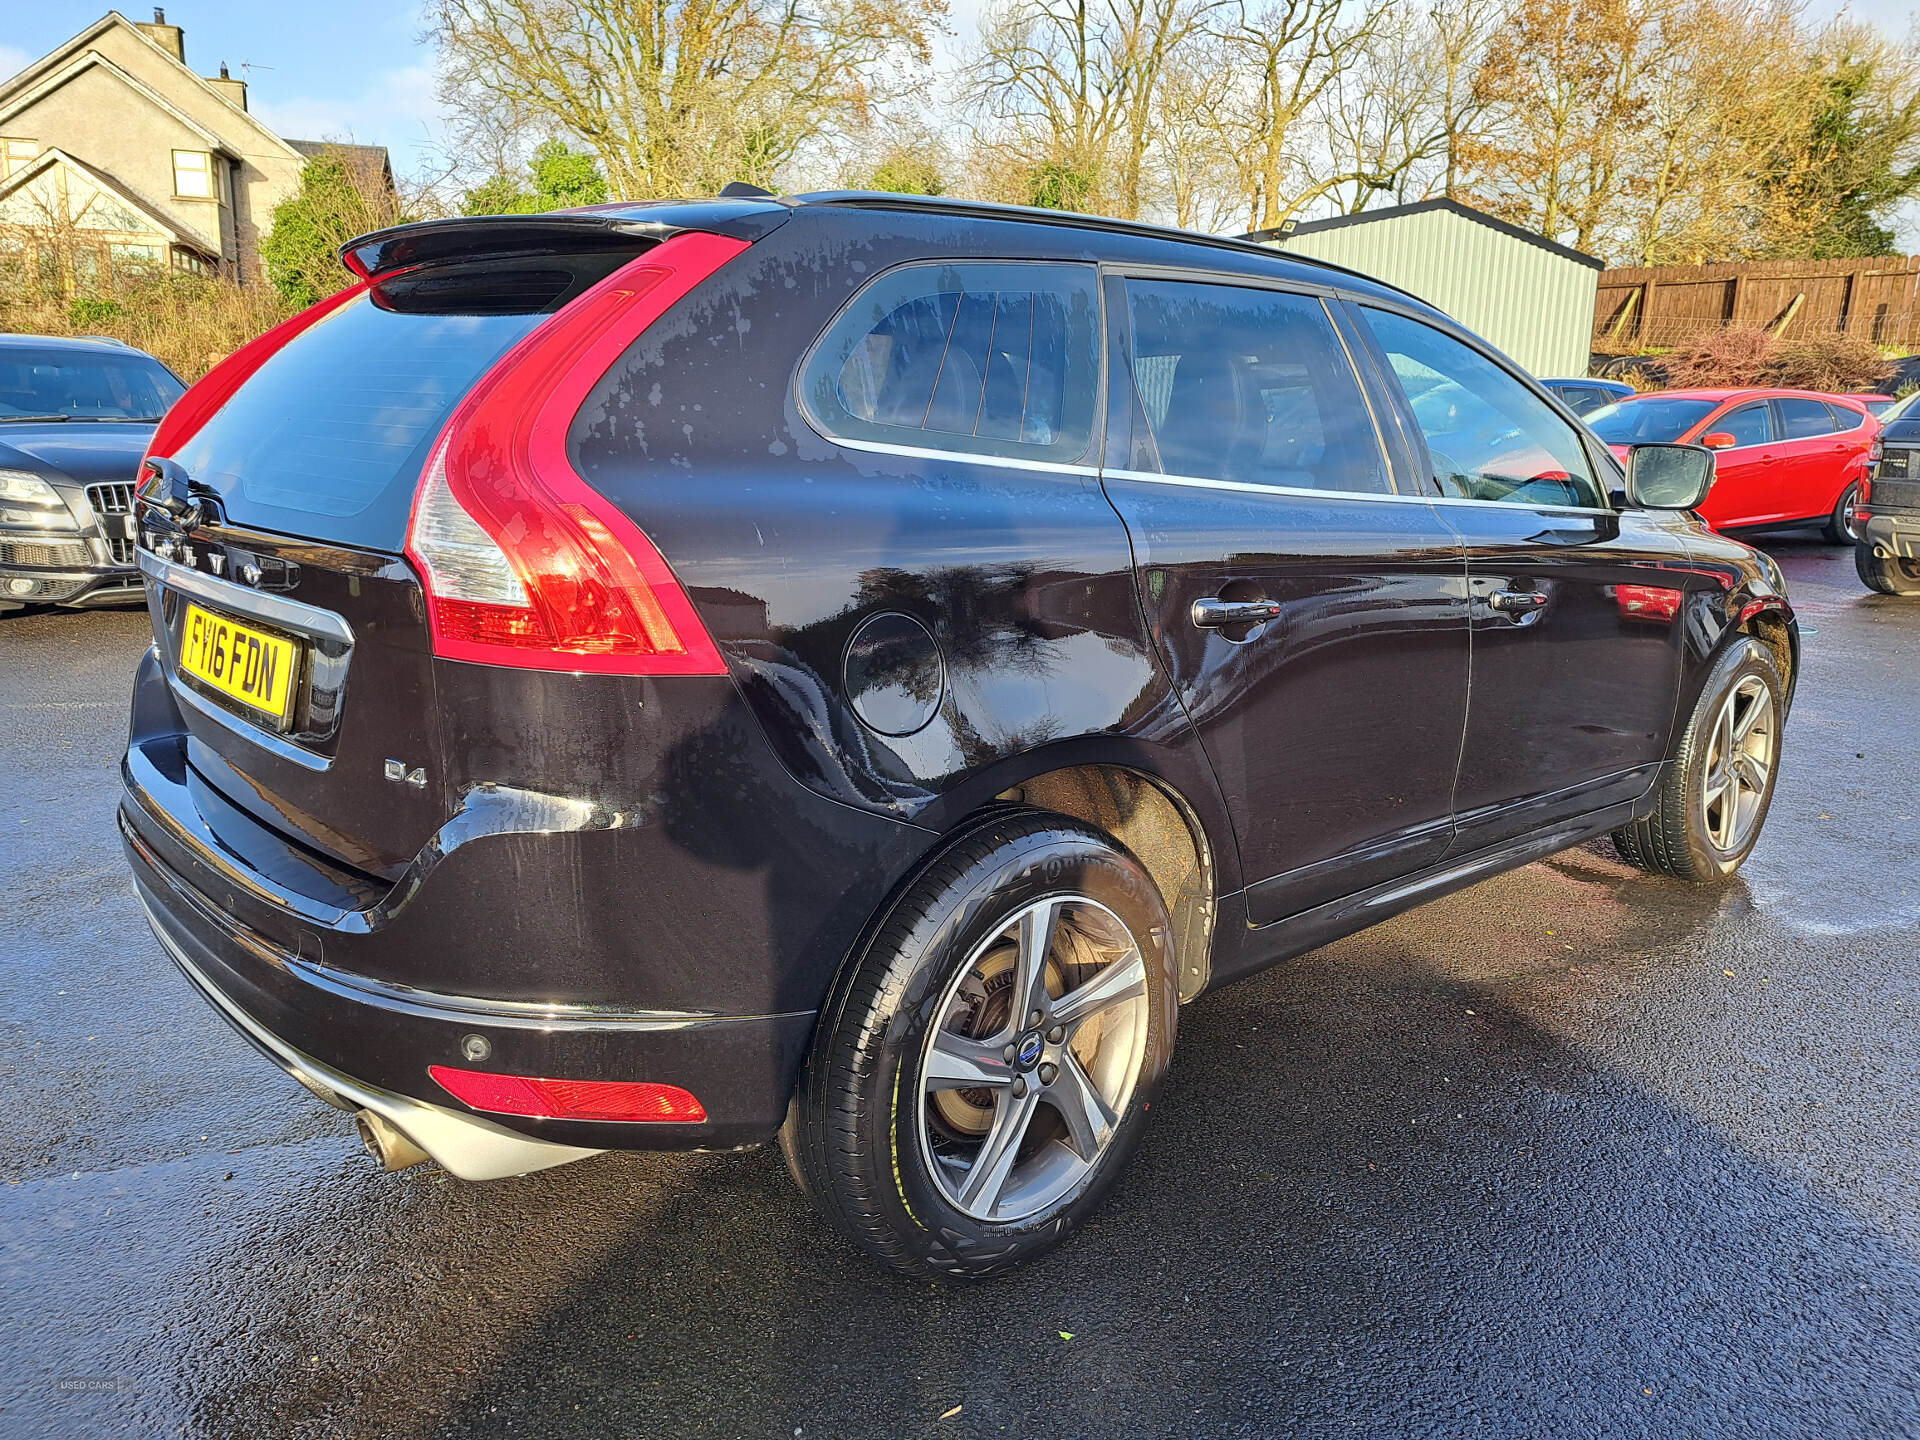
(1714, 800)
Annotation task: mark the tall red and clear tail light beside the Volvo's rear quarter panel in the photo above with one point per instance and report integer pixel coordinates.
(525, 564)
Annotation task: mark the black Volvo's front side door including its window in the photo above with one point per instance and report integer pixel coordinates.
(1575, 606)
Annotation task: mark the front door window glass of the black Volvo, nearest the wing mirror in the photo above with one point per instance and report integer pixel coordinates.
(1489, 437)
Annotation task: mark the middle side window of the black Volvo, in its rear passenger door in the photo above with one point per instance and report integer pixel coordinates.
(1253, 387)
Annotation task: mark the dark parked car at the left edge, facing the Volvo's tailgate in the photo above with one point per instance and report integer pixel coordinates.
(76, 416)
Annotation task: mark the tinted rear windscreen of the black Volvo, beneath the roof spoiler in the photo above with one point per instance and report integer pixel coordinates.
(329, 437)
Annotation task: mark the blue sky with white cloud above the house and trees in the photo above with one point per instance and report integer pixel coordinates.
(356, 70)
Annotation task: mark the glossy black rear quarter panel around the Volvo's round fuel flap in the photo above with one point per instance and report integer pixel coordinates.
(788, 542)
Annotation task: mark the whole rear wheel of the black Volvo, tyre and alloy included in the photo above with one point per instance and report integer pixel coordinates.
(984, 1074)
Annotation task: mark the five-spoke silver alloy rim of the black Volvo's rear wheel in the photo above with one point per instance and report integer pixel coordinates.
(1034, 1057)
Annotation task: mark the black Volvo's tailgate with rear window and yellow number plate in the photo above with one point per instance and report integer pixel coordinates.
(297, 581)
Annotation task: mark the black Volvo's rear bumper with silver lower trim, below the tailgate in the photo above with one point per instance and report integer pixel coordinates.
(373, 1042)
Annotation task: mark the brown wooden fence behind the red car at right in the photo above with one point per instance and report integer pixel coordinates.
(1668, 304)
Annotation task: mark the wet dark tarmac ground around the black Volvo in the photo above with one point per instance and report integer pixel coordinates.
(1573, 1153)
